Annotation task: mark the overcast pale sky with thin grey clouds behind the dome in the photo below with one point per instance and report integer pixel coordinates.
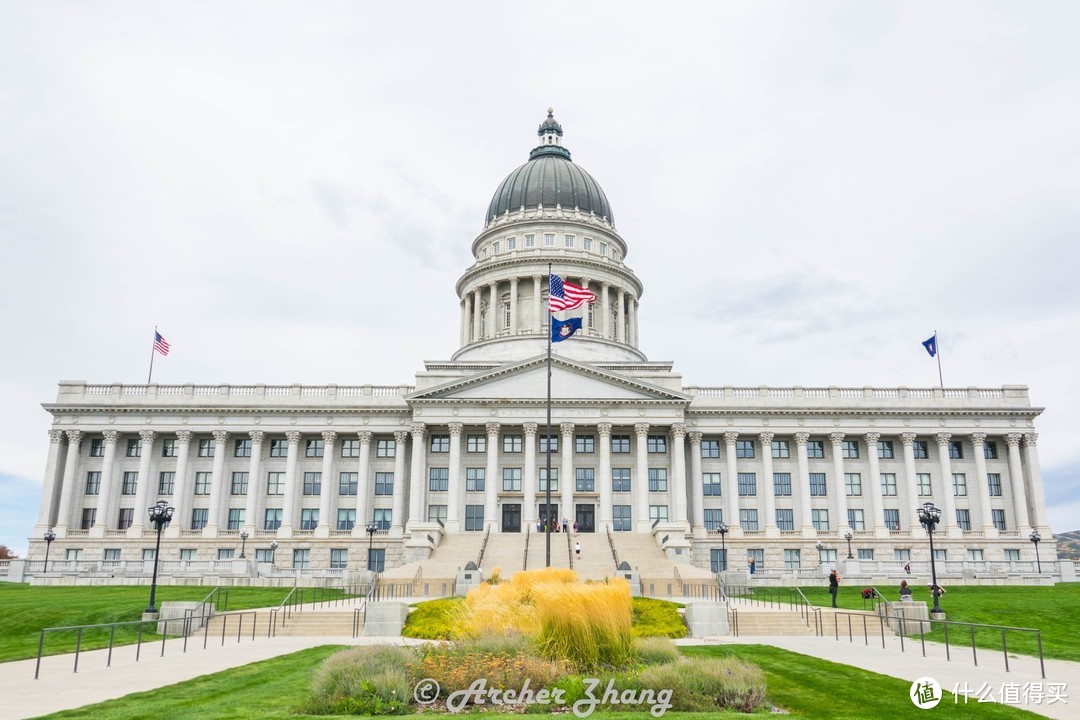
(290, 192)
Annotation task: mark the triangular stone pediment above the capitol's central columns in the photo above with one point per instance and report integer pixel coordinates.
(528, 383)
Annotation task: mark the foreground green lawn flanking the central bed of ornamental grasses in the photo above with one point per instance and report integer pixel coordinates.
(805, 687)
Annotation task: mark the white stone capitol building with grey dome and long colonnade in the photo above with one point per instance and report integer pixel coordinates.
(347, 477)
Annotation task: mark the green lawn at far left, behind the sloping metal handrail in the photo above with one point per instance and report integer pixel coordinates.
(28, 610)
